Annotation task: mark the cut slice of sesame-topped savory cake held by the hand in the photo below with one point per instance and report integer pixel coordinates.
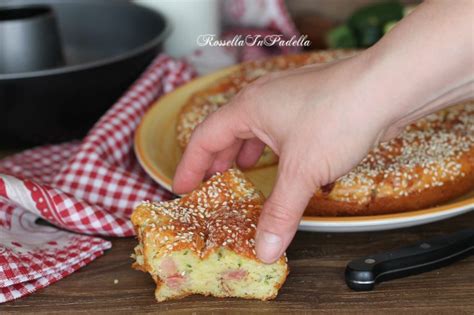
(204, 242)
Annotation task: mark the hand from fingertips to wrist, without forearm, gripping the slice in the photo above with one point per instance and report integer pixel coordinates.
(315, 118)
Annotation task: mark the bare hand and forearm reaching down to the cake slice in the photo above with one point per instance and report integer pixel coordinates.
(322, 120)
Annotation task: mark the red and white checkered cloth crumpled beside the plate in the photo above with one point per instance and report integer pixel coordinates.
(91, 187)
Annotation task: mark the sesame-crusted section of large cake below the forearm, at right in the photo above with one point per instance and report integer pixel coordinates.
(431, 162)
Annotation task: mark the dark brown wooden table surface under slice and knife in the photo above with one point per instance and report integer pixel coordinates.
(315, 284)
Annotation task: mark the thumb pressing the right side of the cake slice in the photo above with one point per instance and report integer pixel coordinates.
(281, 214)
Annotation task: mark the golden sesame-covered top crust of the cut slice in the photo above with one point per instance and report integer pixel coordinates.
(222, 212)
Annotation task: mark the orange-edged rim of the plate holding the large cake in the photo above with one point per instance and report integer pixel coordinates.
(166, 183)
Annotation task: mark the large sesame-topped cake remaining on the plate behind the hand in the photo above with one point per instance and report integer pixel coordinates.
(430, 162)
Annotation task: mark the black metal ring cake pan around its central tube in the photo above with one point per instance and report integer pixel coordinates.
(106, 45)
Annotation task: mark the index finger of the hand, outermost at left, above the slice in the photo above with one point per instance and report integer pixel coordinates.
(217, 132)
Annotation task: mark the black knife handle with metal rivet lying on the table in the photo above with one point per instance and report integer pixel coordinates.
(362, 274)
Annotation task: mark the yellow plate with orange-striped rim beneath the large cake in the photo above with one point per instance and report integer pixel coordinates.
(158, 153)
